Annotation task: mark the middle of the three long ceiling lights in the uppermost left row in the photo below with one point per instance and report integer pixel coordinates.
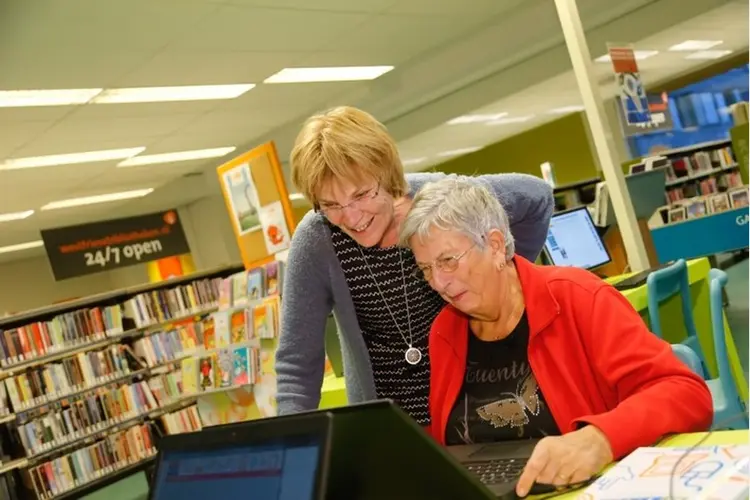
(167, 94)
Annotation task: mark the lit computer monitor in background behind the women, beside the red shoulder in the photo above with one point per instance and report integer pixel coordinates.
(572, 240)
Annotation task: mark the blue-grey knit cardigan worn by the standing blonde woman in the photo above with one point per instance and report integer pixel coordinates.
(314, 285)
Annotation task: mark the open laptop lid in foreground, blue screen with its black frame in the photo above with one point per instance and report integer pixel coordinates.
(275, 459)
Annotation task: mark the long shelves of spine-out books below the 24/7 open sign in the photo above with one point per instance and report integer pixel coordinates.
(88, 387)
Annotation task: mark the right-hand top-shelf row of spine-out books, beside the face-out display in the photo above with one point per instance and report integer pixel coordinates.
(159, 306)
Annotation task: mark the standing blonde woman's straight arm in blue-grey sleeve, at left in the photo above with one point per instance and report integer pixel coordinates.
(306, 304)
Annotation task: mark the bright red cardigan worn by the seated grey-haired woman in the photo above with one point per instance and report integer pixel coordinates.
(593, 357)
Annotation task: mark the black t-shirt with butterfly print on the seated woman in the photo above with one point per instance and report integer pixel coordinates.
(500, 399)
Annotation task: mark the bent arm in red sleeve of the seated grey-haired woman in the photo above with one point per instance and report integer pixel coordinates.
(658, 394)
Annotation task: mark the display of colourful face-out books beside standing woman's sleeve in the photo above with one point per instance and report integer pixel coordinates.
(234, 358)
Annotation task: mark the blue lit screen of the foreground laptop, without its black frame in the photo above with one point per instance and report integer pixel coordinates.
(261, 472)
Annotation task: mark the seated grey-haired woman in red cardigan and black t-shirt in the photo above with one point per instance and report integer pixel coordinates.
(528, 351)
